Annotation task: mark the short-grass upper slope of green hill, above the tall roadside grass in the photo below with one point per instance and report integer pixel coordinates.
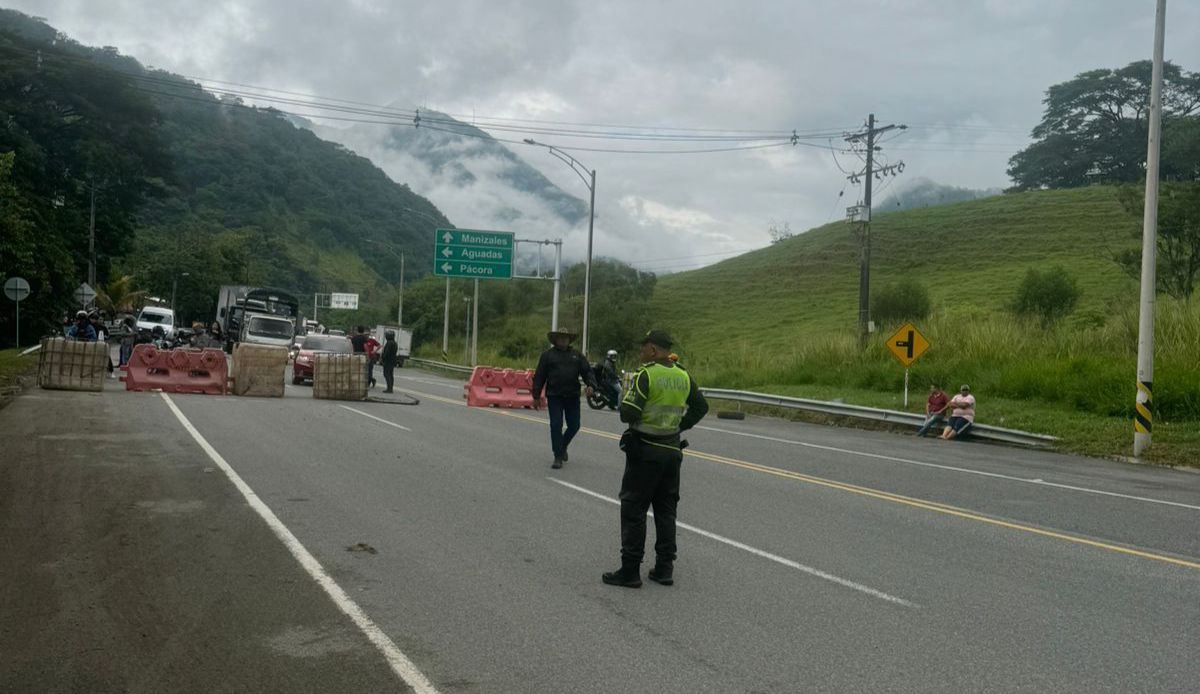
(970, 256)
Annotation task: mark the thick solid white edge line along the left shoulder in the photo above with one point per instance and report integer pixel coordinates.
(399, 662)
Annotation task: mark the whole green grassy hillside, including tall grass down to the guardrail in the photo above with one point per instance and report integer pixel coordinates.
(783, 320)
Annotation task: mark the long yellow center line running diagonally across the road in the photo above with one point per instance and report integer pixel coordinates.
(867, 492)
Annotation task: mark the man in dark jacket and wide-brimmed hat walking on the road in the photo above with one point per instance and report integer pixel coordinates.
(560, 372)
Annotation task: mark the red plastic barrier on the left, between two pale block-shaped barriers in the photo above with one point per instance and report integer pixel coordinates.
(177, 372)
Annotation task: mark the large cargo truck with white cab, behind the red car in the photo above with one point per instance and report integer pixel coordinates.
(259, 315)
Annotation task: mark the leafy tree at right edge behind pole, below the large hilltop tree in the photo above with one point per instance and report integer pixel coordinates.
(1179, 237)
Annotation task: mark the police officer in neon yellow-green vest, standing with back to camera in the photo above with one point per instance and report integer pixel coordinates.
(663, 402)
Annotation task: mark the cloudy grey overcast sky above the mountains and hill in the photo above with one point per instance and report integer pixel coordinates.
(967, 76)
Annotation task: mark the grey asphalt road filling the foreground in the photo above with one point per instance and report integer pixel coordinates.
(817, 559)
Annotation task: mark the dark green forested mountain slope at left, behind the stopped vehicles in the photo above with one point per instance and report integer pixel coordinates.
(191, 192)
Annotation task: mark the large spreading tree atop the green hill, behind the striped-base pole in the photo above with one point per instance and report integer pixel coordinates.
(1095, 130)
